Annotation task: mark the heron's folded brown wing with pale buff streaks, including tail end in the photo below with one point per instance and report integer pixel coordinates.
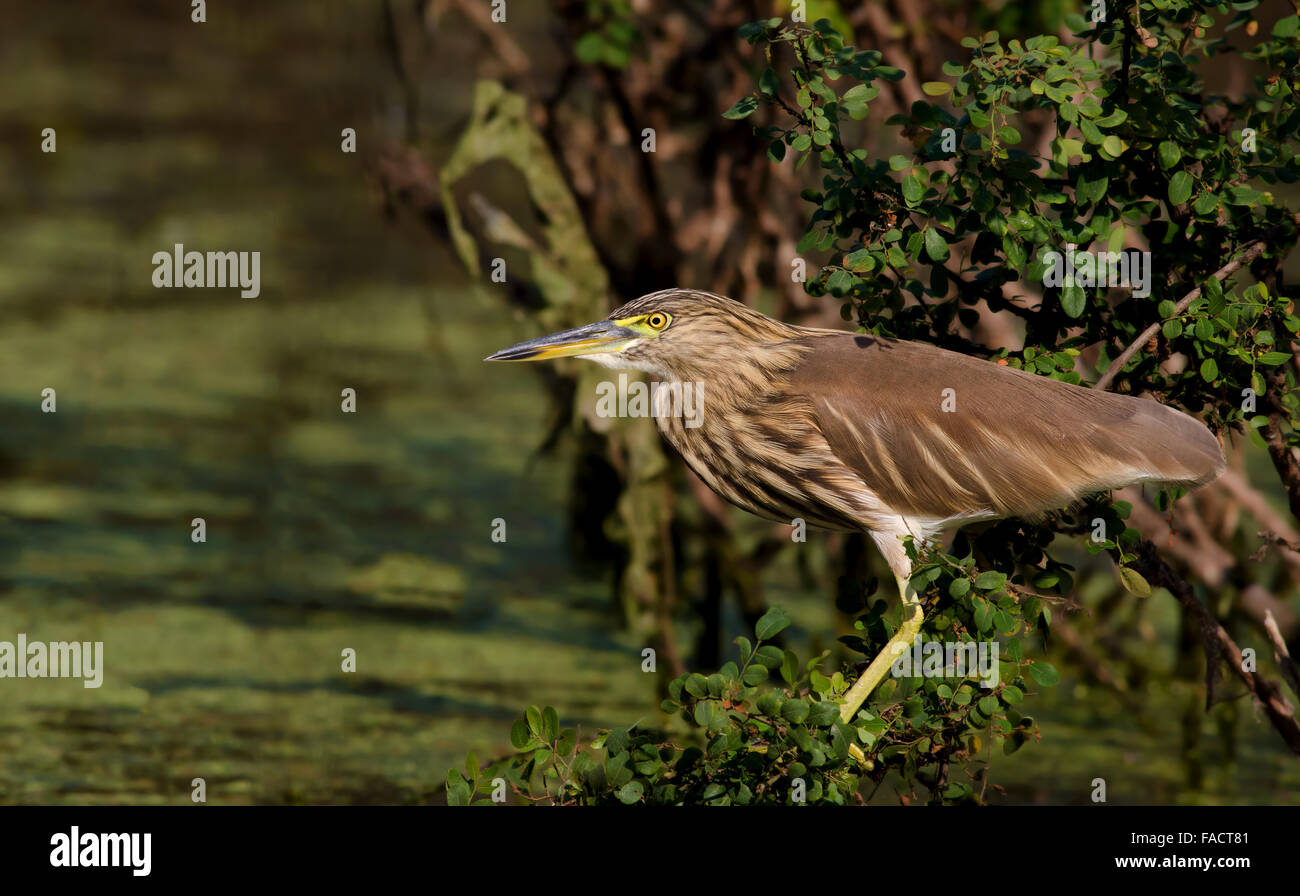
(1002, 443)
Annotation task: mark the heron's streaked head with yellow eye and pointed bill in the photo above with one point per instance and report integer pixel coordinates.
(670, 335)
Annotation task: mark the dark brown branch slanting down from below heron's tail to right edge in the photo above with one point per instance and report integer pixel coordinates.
(1220, 647)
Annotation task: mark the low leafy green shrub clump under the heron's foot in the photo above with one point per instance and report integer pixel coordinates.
(768, 730)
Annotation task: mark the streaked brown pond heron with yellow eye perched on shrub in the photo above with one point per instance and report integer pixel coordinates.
(872, 435)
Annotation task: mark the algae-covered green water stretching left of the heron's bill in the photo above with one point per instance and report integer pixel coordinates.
(326, 531)
